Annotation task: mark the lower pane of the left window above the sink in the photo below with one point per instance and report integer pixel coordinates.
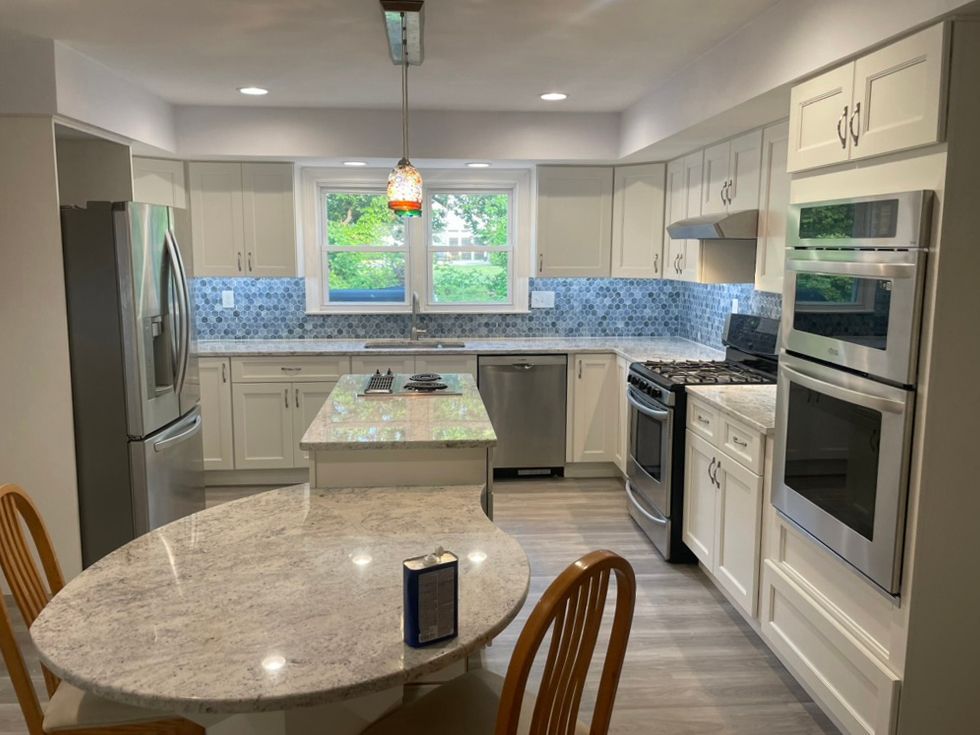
(366, 277)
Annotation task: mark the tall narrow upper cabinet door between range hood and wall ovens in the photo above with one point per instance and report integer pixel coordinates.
(773, 205)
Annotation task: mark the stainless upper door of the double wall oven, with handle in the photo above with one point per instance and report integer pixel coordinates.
(855, 308)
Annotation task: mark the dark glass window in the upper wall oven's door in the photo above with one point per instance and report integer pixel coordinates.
(841, 307)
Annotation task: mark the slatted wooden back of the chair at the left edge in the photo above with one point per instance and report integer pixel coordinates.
(31, 591)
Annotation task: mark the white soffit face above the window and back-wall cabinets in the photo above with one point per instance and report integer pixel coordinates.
(323, 133)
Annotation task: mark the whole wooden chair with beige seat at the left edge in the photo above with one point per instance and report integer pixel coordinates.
(69, 708)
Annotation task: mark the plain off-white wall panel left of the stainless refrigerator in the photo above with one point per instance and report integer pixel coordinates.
(37, 440)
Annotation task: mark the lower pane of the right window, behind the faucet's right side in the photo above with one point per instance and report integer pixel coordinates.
(470, 278)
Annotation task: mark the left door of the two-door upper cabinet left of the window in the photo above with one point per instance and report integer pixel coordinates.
(217, 225)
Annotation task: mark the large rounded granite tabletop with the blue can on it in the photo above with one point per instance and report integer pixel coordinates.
(288, 598)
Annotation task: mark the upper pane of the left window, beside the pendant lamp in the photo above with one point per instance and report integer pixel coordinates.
(362, 219)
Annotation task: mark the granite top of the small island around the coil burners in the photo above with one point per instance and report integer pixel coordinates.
(350, 421)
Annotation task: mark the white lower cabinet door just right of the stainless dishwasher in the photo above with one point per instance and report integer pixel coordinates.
(594, 413)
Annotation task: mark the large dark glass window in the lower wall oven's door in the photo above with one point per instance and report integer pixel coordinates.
(832, 456)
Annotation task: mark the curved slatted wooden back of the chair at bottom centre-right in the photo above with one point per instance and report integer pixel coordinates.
(572, 610)
